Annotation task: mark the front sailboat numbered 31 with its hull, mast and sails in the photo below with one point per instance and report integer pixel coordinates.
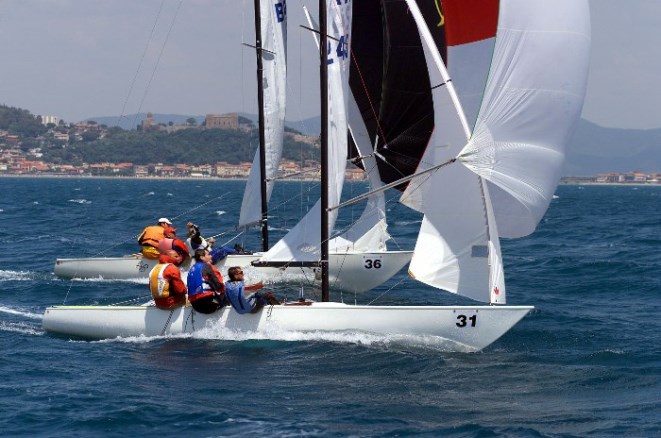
(506, 80)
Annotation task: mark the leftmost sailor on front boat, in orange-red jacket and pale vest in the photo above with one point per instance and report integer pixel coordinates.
(167, 287)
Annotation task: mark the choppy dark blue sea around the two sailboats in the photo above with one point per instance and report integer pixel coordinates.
(585, 363)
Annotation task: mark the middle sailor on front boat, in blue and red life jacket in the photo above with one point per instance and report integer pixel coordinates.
(206, 290)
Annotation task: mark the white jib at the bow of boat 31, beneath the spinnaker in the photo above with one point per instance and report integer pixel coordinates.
(453, 250)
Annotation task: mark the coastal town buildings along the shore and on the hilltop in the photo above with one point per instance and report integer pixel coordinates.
(15, 161)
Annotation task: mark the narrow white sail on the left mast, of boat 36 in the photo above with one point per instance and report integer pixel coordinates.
(274, 78)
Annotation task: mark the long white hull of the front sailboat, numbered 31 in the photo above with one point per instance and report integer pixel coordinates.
(469, 328)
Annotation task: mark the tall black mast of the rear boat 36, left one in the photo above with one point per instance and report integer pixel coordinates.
(262, 134)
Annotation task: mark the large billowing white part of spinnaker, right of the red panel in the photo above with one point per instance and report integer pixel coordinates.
(535, 95)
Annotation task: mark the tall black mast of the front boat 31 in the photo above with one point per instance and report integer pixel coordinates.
(323, 86)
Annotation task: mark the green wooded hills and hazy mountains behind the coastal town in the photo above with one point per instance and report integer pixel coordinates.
(593, 149)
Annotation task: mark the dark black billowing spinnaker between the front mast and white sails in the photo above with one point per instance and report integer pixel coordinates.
(390, 84)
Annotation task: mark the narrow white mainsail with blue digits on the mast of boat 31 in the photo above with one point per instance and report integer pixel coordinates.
(301, 243)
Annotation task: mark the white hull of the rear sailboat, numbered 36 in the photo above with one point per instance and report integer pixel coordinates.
(352, 272)
